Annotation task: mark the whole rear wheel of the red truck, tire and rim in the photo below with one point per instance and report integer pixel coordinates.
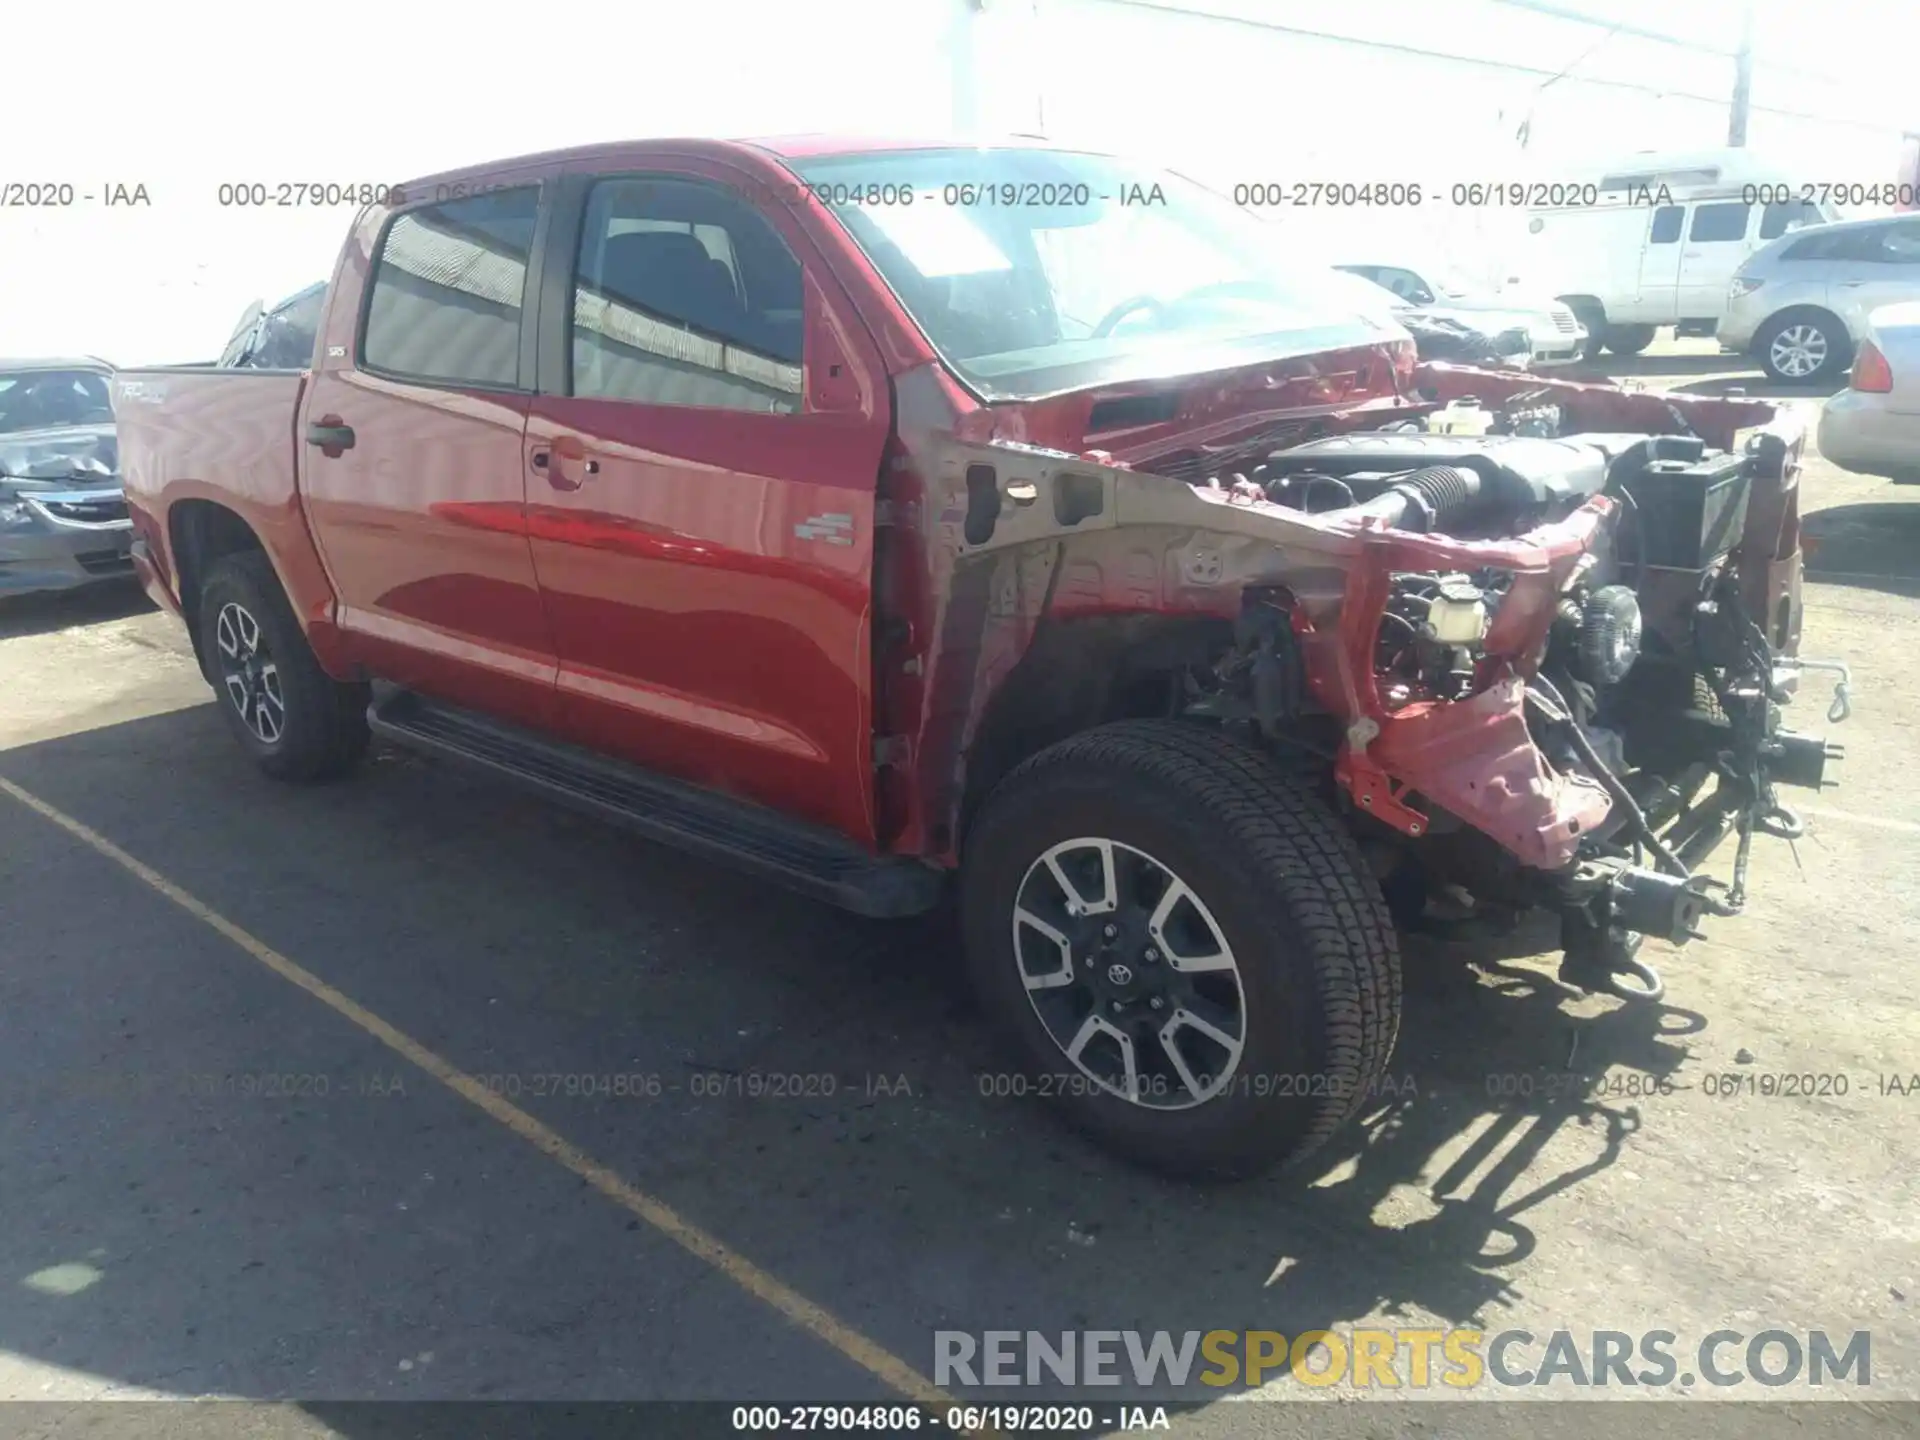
(295, 719)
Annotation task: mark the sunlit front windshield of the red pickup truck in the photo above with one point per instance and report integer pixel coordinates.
(1038, 272)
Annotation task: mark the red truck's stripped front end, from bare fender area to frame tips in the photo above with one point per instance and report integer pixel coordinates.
(1537, 669)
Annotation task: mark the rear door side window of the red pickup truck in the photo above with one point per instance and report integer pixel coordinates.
(448, 291)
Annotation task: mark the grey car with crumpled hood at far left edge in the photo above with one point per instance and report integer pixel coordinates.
(62, 517)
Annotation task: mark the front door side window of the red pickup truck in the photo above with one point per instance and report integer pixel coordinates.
(684, 297)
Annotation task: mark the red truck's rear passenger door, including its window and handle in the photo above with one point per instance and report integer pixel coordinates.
(421, 519)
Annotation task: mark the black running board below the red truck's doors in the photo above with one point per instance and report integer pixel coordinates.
(792, 853)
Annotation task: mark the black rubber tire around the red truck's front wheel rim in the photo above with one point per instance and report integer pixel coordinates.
(1287, 886)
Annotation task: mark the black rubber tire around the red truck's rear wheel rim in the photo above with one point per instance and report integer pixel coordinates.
(325, 721)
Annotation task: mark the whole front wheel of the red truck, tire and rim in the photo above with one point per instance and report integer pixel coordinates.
(1182, 948)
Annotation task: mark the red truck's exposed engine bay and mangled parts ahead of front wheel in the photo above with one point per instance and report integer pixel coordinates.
(1552, 677)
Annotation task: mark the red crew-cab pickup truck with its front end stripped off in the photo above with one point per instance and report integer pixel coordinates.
(869, 516)
